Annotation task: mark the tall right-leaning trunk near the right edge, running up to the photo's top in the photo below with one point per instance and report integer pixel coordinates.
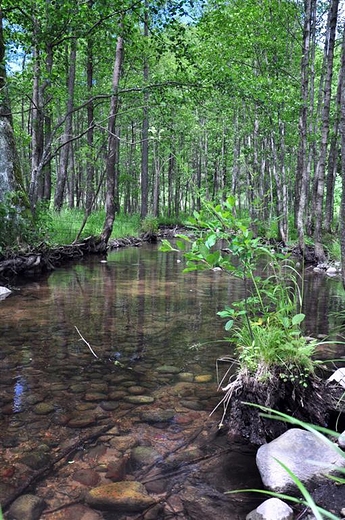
(321, 166)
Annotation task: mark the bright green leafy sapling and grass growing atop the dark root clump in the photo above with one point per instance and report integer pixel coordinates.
(266, 324)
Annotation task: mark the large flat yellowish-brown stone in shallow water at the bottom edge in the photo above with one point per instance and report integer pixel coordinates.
(124, 496)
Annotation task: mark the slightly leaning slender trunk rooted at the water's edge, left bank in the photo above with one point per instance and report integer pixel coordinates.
(110, 201)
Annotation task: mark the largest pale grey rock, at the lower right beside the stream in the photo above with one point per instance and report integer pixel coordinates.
(305, 454)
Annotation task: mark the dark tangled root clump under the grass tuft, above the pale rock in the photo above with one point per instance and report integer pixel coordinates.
(311, 402)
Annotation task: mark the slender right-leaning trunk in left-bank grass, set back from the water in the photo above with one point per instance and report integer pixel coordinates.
(66, 148)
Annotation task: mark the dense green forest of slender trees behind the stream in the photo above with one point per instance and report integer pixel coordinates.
(151, 107)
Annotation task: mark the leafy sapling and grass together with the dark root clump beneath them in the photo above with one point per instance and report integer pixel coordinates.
(274, 360)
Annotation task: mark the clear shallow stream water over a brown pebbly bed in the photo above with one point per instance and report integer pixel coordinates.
(157, 337)
